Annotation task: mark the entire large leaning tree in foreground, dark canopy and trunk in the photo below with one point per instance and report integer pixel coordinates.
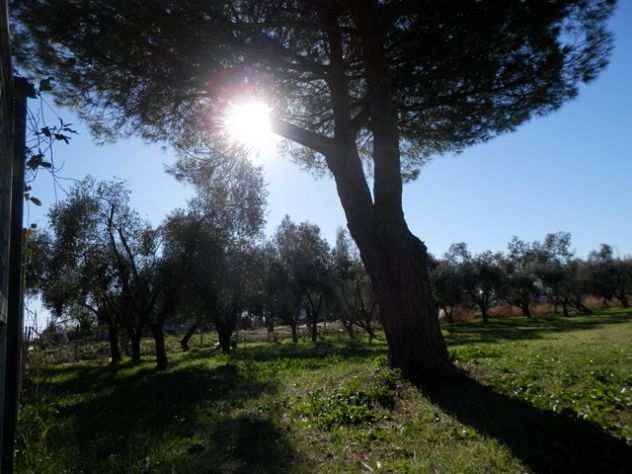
(385, 84)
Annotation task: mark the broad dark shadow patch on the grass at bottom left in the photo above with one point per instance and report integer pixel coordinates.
(182, 418)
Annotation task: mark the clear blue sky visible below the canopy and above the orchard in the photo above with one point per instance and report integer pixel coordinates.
(570, 171)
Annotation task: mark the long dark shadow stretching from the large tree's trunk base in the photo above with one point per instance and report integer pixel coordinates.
(546, 442)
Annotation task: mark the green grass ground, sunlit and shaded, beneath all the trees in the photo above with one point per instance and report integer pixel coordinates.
(541, 395)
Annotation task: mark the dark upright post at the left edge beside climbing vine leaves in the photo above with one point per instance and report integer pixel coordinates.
(15, 313)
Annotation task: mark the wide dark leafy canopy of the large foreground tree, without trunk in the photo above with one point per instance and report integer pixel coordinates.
(460, 72)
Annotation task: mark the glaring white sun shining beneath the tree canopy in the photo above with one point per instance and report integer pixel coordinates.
(248, 123)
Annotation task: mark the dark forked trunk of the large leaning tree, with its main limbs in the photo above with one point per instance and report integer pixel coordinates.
(396, 260)
